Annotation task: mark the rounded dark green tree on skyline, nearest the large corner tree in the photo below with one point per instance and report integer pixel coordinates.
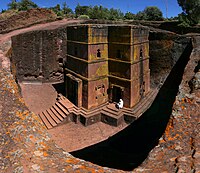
(153, 13)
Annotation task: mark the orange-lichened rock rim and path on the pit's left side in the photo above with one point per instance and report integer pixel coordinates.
(25, 144)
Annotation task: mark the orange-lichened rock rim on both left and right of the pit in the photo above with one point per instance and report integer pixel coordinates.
(26, 146)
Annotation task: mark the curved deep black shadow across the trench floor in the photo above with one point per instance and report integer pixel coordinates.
(130, 147)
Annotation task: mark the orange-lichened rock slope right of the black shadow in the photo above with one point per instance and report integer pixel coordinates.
(179, 148)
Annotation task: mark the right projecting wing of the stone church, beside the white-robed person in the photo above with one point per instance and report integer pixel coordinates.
(128, 57)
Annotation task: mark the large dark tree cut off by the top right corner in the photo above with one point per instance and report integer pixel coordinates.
(191, 10)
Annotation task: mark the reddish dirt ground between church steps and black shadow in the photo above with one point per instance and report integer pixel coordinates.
(72, 137)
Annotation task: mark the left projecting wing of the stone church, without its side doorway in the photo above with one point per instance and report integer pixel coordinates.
(87, 59)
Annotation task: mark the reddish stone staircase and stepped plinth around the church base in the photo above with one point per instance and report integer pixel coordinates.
(64, 111)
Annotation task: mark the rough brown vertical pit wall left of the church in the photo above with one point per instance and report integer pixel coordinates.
(39, 55)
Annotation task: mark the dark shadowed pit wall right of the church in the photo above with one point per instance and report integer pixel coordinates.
(165, 48)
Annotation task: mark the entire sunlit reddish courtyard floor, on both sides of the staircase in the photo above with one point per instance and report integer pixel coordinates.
(70, 136)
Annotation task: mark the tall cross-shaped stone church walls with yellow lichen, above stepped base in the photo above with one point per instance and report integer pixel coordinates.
(105, 63)
